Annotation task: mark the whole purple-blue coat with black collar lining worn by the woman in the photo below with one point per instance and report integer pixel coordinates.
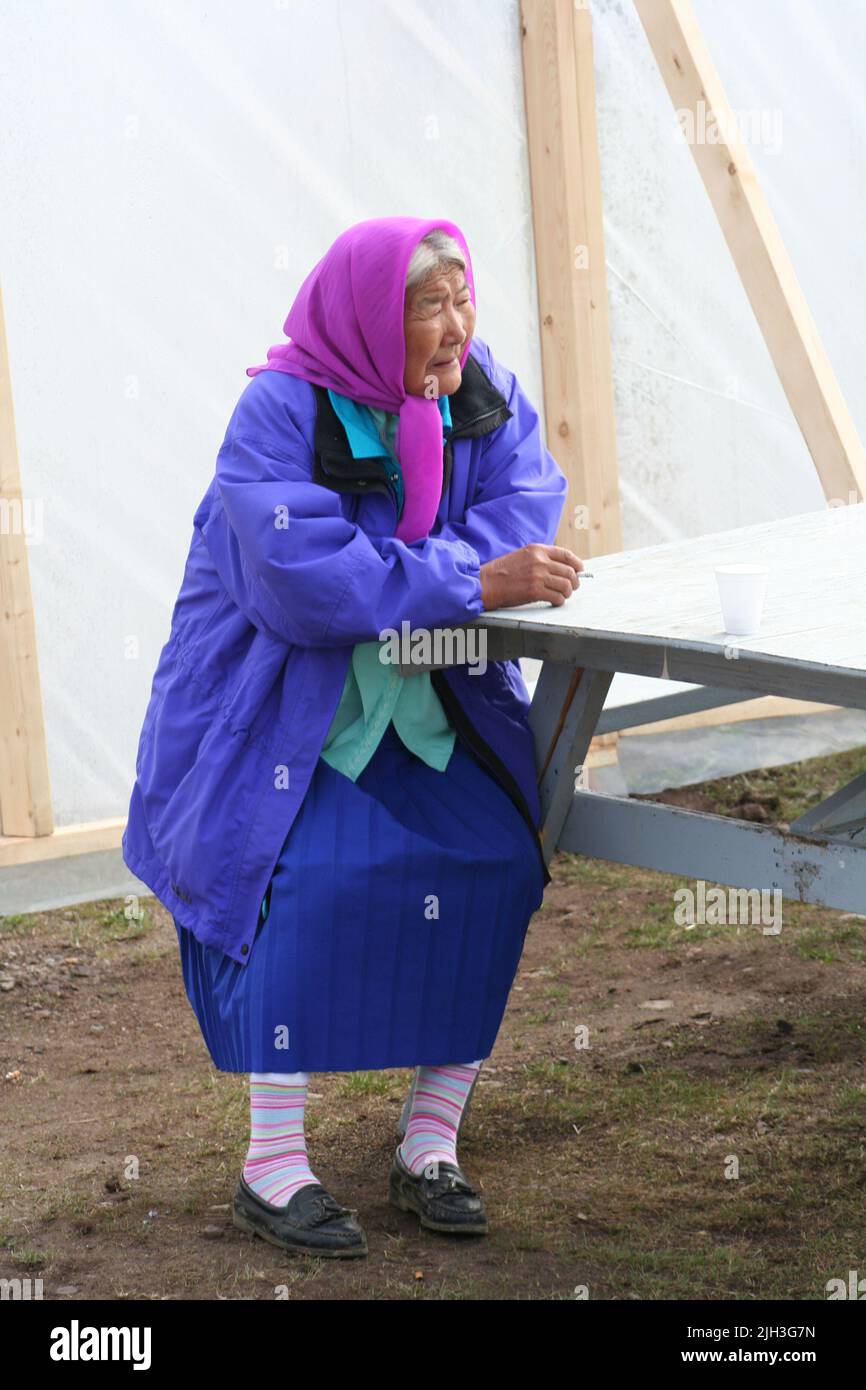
(293, 561)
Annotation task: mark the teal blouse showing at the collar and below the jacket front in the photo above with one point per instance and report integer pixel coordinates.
(375, 693)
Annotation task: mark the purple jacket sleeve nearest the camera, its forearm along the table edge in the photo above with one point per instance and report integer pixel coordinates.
(300, 571)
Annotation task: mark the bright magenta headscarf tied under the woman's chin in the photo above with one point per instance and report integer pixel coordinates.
(347, 330)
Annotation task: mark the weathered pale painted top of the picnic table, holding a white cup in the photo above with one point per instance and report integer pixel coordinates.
(655, 612)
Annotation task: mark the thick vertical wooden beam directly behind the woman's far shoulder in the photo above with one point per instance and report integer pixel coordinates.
(559, 94)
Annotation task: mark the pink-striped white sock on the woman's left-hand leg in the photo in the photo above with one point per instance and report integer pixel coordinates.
(277, 1160)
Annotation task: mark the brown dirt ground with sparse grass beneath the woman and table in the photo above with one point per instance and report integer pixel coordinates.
(608, 1170)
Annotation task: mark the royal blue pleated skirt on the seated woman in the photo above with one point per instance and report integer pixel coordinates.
(398, 914)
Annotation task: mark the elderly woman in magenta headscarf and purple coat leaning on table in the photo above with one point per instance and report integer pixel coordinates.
(352, 856)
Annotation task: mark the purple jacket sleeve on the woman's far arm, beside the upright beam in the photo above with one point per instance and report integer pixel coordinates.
(521, 491)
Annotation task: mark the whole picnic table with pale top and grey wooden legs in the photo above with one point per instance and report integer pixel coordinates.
(655, 614)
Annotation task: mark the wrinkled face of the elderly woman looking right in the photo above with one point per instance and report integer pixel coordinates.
(439, 322)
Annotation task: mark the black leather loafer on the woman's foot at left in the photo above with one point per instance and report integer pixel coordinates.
(312, 1223)
